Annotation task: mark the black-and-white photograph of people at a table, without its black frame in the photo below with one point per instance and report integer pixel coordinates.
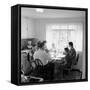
(52, 45)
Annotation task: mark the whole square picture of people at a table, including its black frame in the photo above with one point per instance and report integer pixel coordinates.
(49, 44)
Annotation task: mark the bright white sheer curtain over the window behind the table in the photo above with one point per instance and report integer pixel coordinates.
(61, 34)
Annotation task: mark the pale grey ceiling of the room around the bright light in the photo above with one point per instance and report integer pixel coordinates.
(51, 13)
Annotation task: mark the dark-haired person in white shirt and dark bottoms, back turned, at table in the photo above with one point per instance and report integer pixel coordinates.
(45, 58)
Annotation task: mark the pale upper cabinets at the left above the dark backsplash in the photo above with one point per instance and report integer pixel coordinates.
(27, 28)
